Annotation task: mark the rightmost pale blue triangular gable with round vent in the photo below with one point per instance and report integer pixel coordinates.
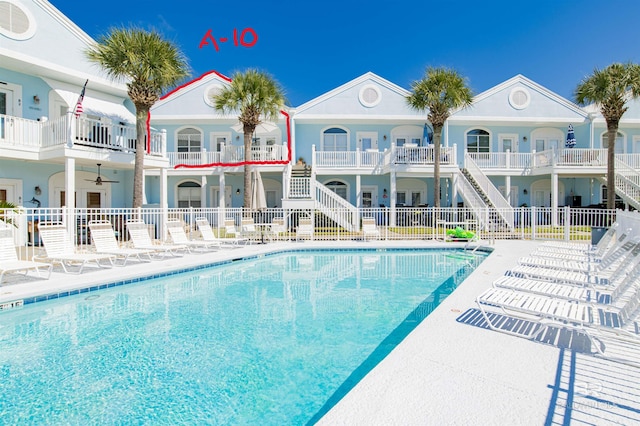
(496, 104)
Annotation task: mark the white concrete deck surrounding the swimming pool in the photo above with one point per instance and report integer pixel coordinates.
(449, 370)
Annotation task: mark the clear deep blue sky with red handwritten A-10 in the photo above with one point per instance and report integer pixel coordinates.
(313, 47)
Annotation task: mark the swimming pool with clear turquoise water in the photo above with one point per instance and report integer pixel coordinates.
(272, 340)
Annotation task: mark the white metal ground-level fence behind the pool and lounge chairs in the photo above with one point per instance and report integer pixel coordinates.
(406, 223)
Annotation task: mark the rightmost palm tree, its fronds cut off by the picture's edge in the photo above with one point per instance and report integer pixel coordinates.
(610, 89)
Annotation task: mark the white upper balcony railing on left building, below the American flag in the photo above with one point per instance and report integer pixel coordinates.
(22, 138)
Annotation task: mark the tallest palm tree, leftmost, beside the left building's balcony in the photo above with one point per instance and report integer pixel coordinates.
(150, 65)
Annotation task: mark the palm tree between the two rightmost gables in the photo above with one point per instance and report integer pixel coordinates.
(440, 91)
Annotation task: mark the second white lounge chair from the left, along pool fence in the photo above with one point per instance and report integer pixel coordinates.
(59, 248)
